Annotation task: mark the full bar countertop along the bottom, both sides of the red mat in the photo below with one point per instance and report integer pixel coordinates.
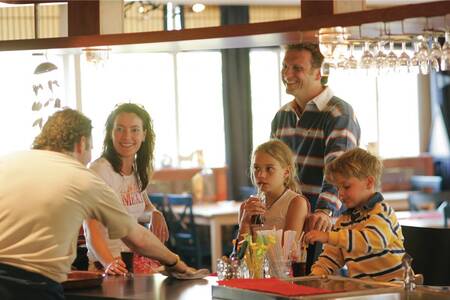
(161, 287)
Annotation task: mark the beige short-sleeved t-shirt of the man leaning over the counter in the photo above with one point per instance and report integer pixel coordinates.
(44, 198)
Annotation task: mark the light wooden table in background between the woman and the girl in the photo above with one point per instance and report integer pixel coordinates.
(216, 215)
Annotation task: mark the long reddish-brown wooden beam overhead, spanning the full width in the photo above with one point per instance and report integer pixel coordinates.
(316, 15)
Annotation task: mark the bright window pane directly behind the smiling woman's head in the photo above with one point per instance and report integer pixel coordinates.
(147, 79)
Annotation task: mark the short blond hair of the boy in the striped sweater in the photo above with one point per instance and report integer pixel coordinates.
(354, 163)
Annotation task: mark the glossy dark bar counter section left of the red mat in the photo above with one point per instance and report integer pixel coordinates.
(146, 287)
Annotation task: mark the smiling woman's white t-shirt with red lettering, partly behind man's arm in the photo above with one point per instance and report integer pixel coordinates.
(132, 199)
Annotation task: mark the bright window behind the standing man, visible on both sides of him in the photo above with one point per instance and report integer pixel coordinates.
(386, 106)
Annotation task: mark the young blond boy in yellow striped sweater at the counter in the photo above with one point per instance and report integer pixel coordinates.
(367, 237)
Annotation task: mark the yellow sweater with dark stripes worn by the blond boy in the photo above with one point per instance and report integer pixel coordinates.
(368, 240)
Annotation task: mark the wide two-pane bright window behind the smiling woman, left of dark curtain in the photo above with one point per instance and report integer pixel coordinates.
(186, 117)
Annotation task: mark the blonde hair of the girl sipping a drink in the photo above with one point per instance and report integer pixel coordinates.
(283, 154)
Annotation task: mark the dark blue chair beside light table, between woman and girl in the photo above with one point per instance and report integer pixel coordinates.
(184, 235)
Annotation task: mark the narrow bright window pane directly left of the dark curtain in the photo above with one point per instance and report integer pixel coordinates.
(200, 106)
